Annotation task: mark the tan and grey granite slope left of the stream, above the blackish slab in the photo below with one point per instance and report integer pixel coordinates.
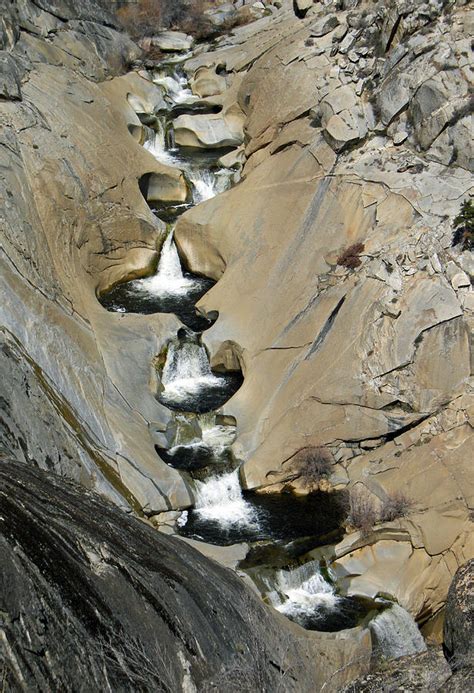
(74, 222)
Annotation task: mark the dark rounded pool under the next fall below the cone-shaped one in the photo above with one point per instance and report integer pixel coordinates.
(208, 398)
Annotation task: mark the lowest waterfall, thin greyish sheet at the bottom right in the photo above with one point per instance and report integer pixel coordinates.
(396, 634)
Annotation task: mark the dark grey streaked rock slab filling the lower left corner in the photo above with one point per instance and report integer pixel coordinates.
(93, 599)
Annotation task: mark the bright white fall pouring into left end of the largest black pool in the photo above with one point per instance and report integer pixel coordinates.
(220, 499)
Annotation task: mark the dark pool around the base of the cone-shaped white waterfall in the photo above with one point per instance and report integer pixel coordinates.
(131, 298)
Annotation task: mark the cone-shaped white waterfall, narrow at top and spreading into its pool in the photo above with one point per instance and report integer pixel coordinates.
(169, 279)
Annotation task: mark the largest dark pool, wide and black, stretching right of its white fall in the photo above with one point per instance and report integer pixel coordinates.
(279, 517)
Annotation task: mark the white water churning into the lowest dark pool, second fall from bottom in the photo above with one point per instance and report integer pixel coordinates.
(302, 592)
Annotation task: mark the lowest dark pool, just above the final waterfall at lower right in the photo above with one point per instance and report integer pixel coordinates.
(349, 612)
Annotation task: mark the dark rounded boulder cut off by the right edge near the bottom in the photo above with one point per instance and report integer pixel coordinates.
(459, 618)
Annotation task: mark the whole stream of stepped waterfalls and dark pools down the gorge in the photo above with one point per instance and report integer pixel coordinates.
(280, 528)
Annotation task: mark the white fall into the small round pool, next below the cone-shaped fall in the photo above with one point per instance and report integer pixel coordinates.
(186, 372)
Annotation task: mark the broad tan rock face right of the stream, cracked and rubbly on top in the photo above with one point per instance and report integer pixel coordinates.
(355, 137)
